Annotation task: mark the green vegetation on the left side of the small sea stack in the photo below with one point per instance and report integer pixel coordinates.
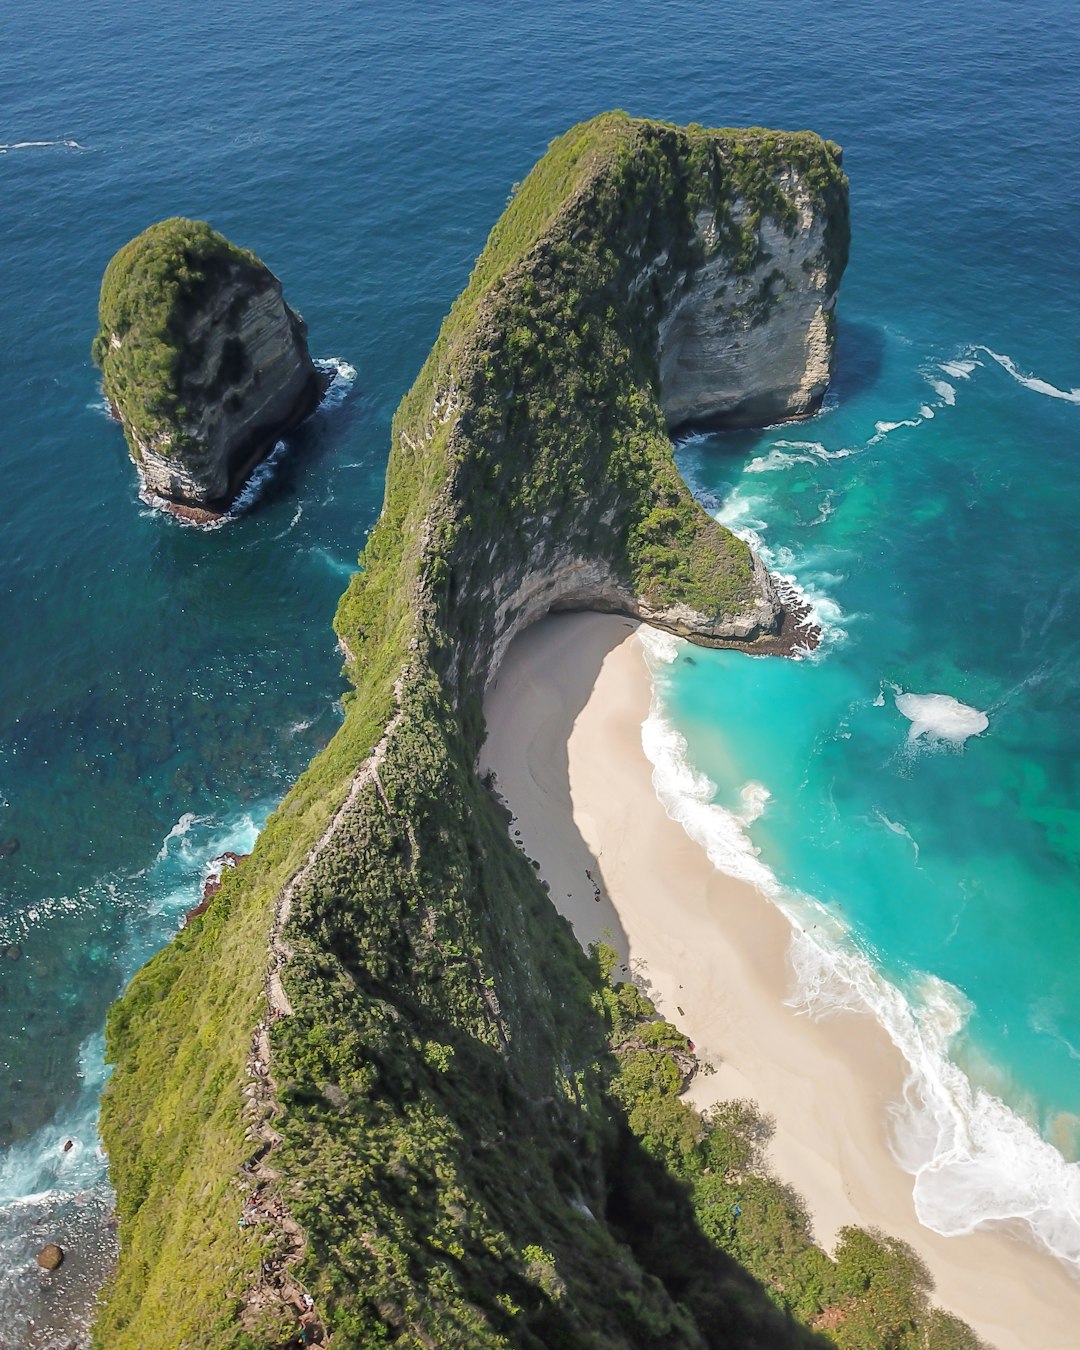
(151, 288)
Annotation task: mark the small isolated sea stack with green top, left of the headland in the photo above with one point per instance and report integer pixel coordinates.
(202, 361)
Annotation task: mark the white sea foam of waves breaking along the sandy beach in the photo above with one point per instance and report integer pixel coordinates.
(974, 1160)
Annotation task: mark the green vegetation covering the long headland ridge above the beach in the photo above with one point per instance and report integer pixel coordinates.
(481, 1137)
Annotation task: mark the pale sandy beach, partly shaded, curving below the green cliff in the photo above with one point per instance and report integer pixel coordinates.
(565, 713)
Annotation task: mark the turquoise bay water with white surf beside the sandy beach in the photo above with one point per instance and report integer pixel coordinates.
(940, 831)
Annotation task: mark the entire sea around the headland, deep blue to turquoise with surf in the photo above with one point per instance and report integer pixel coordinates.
(161, 686)
